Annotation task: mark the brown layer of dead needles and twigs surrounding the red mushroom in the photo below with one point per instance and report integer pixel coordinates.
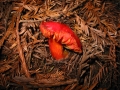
(25, 58)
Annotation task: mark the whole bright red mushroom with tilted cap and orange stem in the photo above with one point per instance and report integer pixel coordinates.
(60, 34)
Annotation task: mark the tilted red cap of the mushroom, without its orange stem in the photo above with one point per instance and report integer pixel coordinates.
(61, 33)
